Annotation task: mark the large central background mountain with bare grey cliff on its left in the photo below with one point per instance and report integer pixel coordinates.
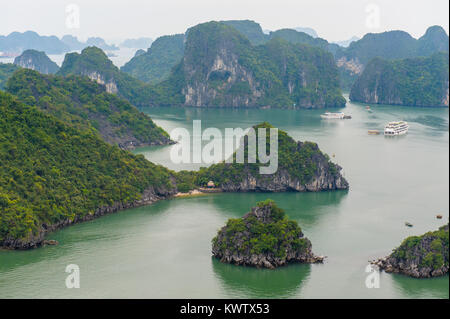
(221, 68)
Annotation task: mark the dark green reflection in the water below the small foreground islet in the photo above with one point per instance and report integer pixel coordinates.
(249, 282)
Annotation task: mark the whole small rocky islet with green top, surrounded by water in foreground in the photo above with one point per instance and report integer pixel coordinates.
(263, 238)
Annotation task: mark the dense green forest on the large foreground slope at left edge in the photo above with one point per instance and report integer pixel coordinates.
(52, 172)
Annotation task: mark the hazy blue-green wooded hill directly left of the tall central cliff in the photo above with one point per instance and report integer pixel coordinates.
(155, 65)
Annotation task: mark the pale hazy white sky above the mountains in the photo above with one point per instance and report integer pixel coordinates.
(115, 20)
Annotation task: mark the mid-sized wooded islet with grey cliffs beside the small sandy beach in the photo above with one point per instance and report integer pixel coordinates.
(301, 167)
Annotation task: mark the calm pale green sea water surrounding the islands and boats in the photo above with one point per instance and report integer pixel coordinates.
(163, 250)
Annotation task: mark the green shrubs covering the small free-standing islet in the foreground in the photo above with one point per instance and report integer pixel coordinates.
(274, 236)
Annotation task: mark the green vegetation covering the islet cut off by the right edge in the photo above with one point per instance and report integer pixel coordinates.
(432, 249)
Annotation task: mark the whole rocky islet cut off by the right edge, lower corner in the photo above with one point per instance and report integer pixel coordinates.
(420, 256)
